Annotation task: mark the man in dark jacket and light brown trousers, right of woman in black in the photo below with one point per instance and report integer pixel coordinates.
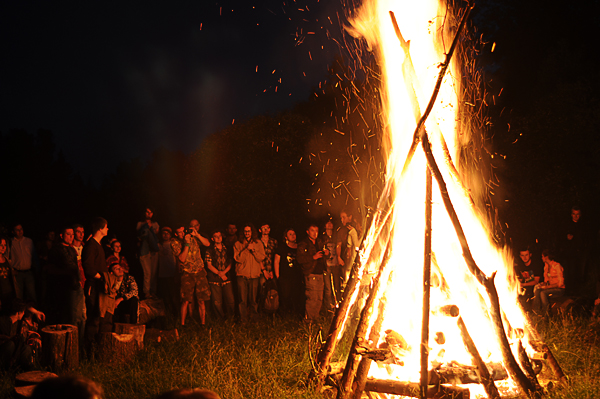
(311, 252)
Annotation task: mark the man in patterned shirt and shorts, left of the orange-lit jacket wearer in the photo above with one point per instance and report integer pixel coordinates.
(218, 263)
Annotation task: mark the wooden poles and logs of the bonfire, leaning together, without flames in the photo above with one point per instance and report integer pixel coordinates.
(351, 377)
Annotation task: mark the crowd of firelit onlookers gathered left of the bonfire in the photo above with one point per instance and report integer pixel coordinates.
(87, 282)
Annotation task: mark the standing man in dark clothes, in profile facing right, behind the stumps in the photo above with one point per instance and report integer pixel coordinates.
(94, 266)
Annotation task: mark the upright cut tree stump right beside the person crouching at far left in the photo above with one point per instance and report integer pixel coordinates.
(60, 347)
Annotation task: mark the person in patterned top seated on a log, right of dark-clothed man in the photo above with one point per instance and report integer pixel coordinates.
(127, 299)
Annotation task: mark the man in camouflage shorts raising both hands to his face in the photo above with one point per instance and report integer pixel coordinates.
(191, 267)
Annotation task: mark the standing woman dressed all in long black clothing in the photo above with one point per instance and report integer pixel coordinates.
(289, 275)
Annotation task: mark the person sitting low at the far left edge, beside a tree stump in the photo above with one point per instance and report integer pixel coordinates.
(19, 340)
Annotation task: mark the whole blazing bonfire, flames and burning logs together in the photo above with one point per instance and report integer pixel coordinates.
(444, 307)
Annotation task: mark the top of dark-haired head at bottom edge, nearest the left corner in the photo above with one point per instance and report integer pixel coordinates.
(67, 387)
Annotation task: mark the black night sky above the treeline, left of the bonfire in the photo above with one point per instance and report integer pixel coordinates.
(116, 80)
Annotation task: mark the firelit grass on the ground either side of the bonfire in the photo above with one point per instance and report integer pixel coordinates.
(270, 359)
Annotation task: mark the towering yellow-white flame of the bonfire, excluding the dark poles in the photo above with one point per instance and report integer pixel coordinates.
(428, 27)
